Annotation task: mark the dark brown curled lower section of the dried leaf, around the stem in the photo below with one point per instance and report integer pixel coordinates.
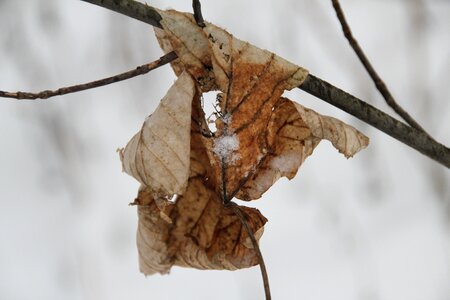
(197, 231)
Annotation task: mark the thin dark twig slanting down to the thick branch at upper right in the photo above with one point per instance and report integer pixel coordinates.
(379, 83)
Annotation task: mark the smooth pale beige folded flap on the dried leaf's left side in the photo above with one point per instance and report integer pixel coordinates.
(158, 155)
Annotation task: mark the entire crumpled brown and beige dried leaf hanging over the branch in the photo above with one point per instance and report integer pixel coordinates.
(260, 137)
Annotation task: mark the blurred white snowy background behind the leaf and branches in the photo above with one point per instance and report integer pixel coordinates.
(376, 226)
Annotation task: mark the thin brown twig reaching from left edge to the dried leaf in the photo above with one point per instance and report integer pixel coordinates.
(141, 70)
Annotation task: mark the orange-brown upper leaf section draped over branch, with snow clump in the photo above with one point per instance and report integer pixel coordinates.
(251, 79)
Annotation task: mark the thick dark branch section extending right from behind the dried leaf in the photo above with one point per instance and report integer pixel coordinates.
(378, 119)
